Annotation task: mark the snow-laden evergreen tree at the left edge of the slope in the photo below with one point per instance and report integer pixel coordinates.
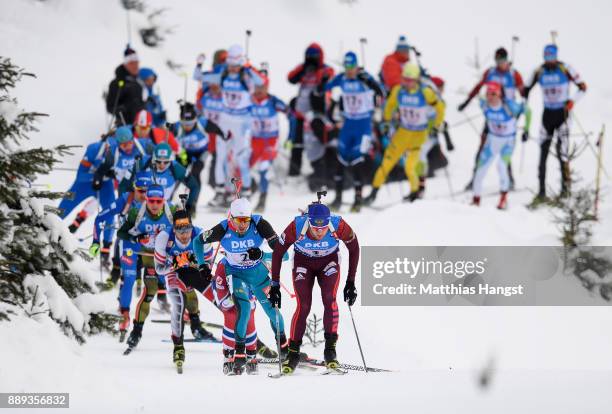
(43, 273)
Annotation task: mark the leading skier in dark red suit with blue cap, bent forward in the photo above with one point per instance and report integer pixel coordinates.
(316, 238)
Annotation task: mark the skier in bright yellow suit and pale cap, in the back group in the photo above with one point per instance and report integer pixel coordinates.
(412, 100)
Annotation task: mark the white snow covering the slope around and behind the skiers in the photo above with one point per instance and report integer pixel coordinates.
(546, 359)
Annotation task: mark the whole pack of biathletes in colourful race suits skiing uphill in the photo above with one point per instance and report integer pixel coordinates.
(136, 168)
